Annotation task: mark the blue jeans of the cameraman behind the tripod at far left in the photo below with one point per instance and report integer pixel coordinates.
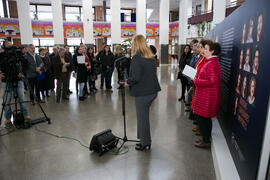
(20, 95)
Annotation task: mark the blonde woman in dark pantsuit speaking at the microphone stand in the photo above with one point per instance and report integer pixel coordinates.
(144, 86)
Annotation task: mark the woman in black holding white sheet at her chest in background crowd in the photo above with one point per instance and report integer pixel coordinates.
(81, 67)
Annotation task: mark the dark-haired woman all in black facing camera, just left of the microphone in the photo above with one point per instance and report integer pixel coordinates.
(107, 65)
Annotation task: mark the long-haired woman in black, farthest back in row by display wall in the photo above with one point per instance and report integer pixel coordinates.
(184, 60)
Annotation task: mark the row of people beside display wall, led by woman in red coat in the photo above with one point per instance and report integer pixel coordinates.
(203, 91)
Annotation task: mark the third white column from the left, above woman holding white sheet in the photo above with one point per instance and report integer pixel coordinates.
(88, 22)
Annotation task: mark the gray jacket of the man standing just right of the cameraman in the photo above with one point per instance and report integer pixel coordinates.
(32, 65)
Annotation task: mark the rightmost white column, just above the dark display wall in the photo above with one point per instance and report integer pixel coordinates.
(219, 12)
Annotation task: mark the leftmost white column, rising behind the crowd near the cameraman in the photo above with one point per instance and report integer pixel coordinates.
(25, 22)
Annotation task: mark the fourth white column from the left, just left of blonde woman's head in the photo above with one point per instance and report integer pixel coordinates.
(116, 22)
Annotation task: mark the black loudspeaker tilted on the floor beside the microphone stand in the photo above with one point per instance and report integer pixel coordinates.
(103, 142)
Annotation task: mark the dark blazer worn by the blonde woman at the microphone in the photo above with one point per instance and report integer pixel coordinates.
(142, 77)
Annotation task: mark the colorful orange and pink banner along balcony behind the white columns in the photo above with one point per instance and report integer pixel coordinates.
(10, 28)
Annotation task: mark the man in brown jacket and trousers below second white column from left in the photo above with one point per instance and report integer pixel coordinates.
(61, 64)
